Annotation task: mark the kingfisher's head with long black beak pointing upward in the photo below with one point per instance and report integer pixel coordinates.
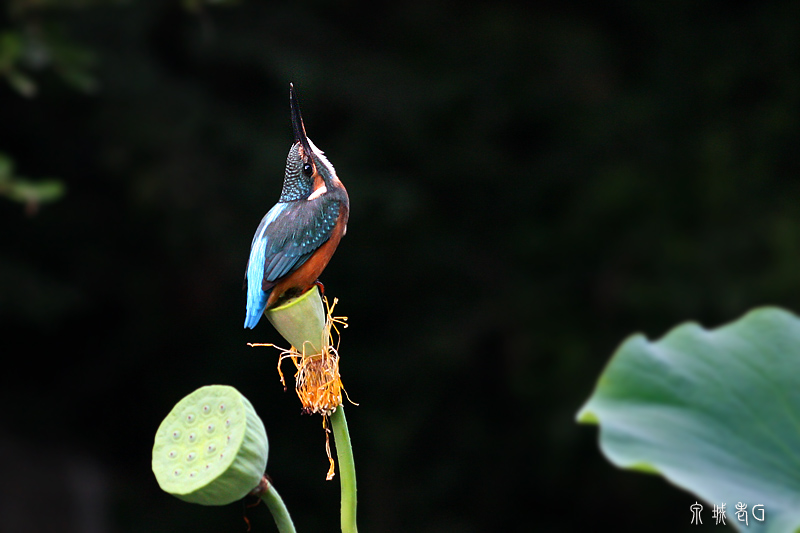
(308, 171)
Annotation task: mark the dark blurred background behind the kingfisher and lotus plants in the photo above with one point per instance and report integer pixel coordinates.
(529, 184)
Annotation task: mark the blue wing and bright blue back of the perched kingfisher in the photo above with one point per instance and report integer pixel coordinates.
(288, 235)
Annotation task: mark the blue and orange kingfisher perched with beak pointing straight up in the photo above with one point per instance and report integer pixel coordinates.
(297, 237)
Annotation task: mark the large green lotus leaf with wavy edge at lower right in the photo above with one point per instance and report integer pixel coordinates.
(715, 412)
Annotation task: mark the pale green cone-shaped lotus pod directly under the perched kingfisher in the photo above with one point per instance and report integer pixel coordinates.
(301, 321)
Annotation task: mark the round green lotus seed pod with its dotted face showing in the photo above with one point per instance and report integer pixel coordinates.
(211, 448)
